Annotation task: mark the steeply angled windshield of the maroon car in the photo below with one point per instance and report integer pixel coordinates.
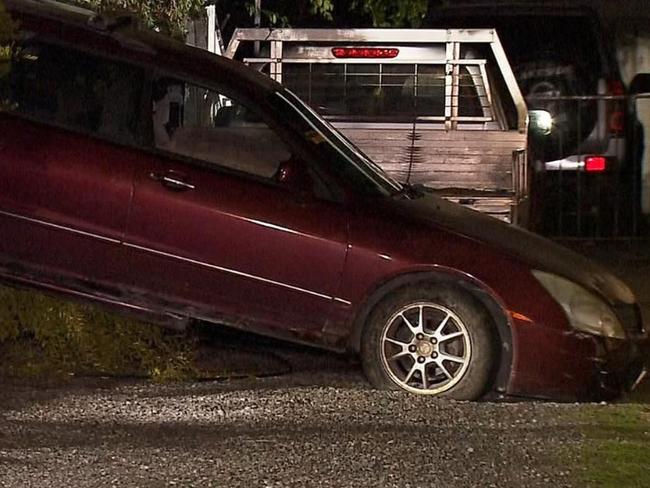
(349, 161)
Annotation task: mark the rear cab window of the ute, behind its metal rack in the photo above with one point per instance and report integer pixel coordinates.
(388, 92)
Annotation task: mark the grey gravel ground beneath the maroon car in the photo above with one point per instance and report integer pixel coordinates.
(298, 430)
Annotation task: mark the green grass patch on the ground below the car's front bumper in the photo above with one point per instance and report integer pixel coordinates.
(616, 448)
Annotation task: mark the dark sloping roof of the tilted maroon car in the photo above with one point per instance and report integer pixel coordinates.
(121, 37)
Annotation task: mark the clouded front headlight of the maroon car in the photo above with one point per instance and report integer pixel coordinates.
(585, 311)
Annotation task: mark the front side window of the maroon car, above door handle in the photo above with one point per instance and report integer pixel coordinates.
(212, 127)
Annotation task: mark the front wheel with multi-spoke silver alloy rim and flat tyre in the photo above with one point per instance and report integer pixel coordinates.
(432, 340)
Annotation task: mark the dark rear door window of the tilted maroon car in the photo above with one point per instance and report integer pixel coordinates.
(65, 87)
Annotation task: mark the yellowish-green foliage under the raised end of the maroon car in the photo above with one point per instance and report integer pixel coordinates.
(45, 337)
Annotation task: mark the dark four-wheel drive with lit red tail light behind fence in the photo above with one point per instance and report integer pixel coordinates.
(586, 152)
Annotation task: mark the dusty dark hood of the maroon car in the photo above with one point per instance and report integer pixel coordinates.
(535, 251)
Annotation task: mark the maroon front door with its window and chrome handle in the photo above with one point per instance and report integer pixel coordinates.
(213, 225)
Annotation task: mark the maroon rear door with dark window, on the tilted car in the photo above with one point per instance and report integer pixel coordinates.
(66, 171)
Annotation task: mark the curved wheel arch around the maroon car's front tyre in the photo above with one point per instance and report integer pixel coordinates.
(495, 309)
